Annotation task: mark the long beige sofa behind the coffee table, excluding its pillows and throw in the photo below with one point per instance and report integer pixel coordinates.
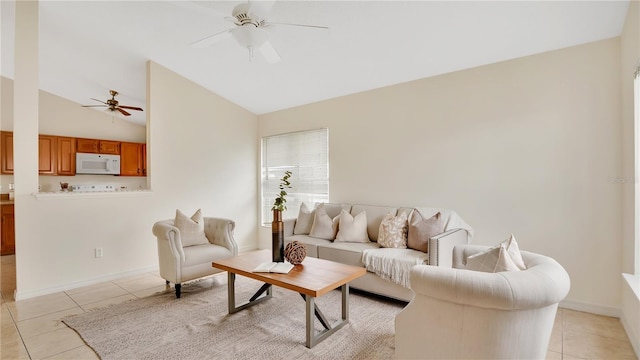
(457, 232)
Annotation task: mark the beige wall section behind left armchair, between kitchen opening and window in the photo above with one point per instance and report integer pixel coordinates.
(204, 153)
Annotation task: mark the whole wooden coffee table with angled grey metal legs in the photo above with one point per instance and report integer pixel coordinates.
(311, 279)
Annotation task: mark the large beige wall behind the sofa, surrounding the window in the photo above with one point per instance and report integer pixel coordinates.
(526, 146)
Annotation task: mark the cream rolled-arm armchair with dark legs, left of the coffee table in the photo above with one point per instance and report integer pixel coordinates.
(179, 264)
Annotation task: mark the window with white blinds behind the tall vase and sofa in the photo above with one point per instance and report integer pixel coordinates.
(306, 155)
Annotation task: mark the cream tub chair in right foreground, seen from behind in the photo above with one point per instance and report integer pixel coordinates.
(463, 314)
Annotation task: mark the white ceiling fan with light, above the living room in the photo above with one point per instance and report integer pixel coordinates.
(251, 21)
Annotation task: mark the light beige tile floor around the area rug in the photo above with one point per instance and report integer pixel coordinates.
(31, 329)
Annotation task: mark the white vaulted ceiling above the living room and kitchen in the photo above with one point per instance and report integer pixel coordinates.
(89, 47)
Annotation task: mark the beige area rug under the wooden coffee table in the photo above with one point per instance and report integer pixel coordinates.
(198, 326)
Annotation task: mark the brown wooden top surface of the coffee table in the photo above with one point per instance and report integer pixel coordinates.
(314, 277)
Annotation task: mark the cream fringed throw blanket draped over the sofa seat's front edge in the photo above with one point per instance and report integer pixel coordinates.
(393, 264)
